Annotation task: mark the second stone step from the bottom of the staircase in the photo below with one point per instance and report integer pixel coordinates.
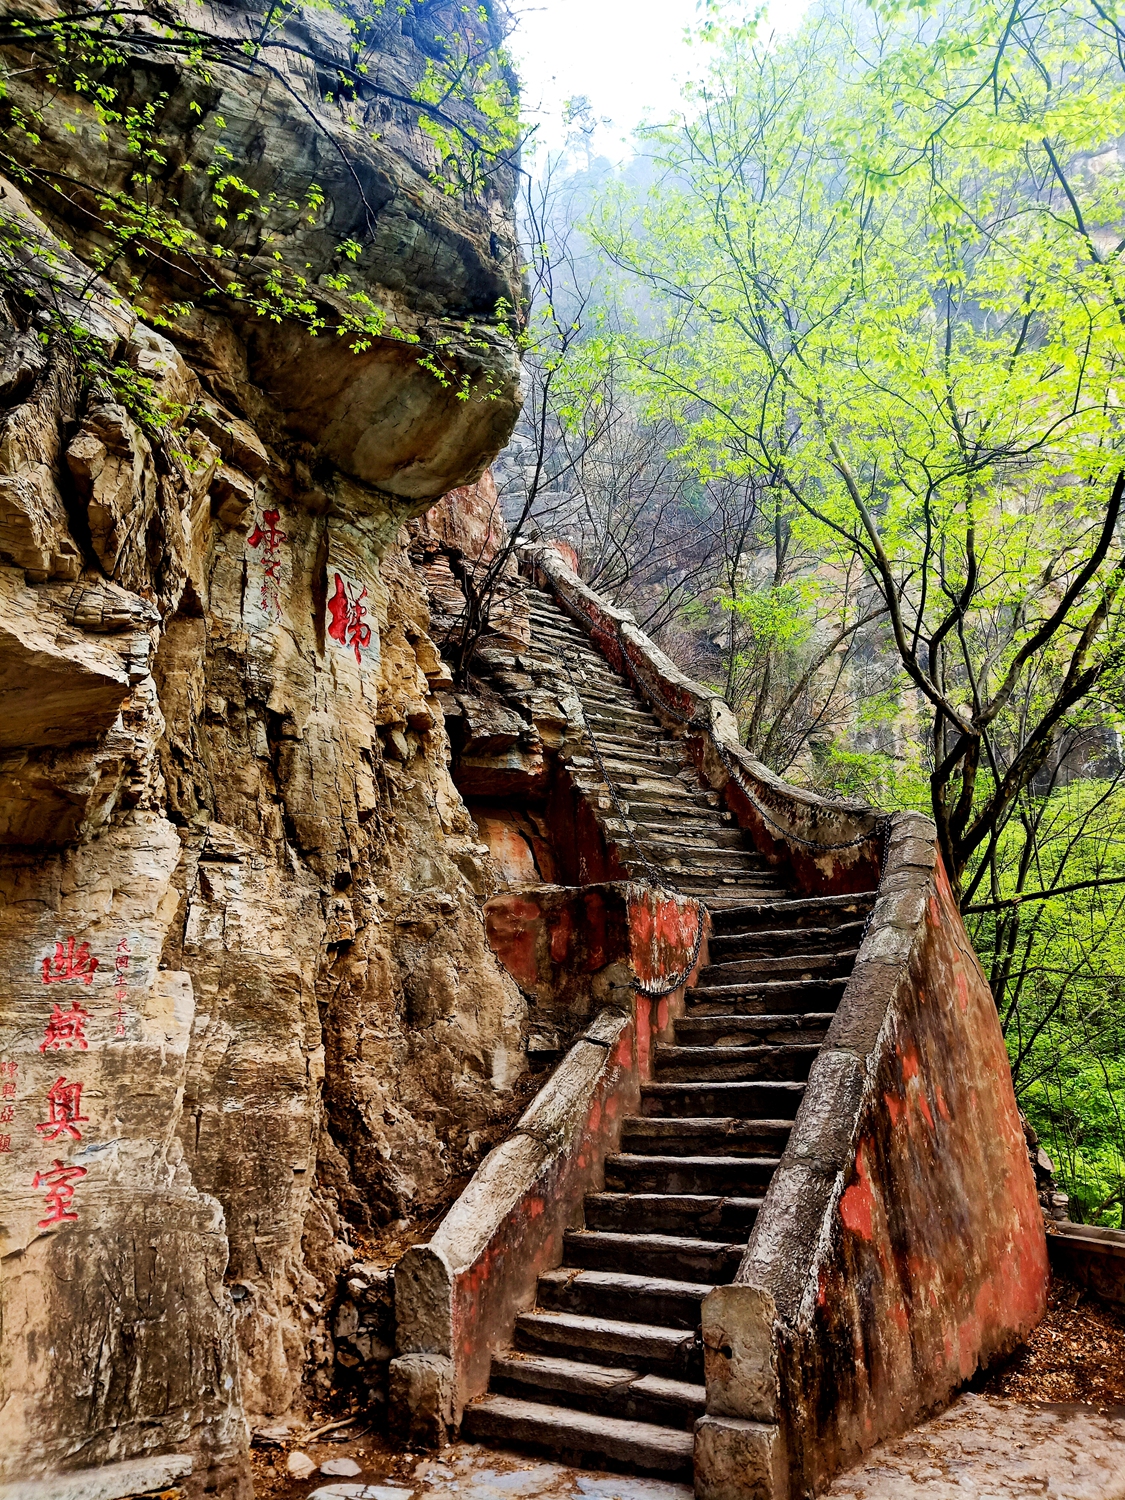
(608, 1390)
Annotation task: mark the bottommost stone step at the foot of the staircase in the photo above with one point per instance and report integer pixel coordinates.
(581, 1438)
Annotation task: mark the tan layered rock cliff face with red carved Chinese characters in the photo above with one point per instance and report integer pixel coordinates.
(250, 1019)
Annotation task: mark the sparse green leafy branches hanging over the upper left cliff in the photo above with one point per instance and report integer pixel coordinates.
(233, 250)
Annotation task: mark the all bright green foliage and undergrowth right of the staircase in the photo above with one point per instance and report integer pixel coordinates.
(886, 284)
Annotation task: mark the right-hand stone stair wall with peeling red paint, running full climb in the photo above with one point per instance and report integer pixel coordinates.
(901, 1243)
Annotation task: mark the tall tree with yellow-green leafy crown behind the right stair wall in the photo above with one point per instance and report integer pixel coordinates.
(883, 259)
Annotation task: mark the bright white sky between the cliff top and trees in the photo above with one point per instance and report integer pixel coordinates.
(626, 56)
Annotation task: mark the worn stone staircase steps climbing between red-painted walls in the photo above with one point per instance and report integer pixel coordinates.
(608, 1367)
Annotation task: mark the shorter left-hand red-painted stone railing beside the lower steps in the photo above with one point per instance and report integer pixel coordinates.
(619, 959)
